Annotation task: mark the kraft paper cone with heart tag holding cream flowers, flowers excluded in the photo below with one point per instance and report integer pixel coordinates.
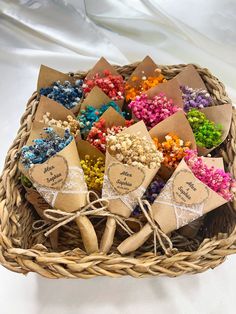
(122, 185)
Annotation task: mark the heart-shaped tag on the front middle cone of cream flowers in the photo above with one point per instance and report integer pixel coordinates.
(125, 179)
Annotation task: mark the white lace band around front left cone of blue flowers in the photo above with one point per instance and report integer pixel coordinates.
(71, 186)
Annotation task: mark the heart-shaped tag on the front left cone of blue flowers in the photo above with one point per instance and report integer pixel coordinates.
(51, 174)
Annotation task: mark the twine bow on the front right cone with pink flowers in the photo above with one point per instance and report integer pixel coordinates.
(158, 234)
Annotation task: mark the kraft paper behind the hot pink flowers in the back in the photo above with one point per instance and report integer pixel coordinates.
(171, 89)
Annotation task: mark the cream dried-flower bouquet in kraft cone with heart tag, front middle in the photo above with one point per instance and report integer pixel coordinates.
(132, 161)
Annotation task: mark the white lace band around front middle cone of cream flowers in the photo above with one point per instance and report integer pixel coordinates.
(129, 199)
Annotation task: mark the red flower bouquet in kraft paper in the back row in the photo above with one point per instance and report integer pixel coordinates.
(105, 77)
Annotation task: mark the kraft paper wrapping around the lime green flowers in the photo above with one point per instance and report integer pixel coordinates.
(221, 114)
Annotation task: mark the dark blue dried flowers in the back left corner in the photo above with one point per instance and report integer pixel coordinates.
(66, 94)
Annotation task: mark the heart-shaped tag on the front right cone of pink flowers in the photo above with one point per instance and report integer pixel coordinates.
(187, 189)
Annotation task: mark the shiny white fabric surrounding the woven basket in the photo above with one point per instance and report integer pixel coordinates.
(71, 35)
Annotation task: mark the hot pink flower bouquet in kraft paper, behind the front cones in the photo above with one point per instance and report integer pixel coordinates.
(157, 104)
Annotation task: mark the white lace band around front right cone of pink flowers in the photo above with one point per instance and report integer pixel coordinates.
(184, 214)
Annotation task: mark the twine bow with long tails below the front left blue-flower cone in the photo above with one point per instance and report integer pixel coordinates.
(58, 218)
